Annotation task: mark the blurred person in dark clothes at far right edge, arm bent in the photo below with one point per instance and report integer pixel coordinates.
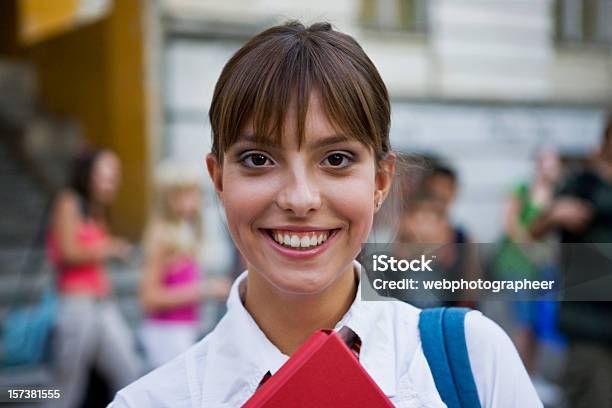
(583, 213)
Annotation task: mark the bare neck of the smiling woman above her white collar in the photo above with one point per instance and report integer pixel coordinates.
(288, 319)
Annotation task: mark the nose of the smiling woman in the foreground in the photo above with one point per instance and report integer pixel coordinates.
(299, 193)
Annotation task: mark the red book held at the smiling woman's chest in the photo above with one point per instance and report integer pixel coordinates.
(322, 373)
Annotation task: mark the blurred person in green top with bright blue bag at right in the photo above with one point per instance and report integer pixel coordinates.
(522, 256)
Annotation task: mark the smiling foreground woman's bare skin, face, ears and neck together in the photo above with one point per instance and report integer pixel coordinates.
(299, 215)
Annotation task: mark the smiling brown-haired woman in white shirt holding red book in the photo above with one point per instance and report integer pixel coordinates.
(301, 162)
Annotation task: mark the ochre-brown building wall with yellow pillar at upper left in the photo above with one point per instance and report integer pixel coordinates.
(96, 75)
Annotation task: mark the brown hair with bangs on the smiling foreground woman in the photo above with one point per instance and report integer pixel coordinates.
(288, 62)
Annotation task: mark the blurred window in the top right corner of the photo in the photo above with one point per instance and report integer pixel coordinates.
(587, 22)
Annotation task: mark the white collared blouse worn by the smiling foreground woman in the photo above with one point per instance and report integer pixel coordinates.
(225, 368)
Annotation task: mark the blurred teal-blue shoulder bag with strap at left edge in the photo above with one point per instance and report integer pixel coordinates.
(26, 330)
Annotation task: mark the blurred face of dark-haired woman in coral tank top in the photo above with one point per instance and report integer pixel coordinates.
(105, 178)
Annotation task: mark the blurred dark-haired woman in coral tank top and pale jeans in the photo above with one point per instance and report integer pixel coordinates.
(90, 330)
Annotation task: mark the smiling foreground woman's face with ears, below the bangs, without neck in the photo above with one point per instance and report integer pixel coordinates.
(299, 215)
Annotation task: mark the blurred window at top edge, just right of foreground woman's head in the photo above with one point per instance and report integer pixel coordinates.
(394, 15)
